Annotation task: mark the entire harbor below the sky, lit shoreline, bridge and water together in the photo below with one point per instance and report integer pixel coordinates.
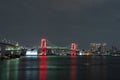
(58, 63)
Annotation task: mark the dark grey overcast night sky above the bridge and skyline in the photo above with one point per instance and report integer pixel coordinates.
(61, 21)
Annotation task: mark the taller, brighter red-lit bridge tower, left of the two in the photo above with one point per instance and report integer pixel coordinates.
(43, 46)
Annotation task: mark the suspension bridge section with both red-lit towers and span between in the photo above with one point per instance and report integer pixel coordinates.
(46, 49)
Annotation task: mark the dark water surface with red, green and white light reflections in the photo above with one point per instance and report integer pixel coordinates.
(61, 68)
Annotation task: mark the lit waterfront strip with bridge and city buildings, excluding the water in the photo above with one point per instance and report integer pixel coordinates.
(10, 50)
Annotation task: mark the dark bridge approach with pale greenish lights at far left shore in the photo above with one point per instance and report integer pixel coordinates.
(9, 49)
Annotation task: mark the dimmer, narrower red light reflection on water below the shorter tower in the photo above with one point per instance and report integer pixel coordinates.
(73, 68)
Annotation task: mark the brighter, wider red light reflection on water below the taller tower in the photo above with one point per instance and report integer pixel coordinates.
(43, 68)
